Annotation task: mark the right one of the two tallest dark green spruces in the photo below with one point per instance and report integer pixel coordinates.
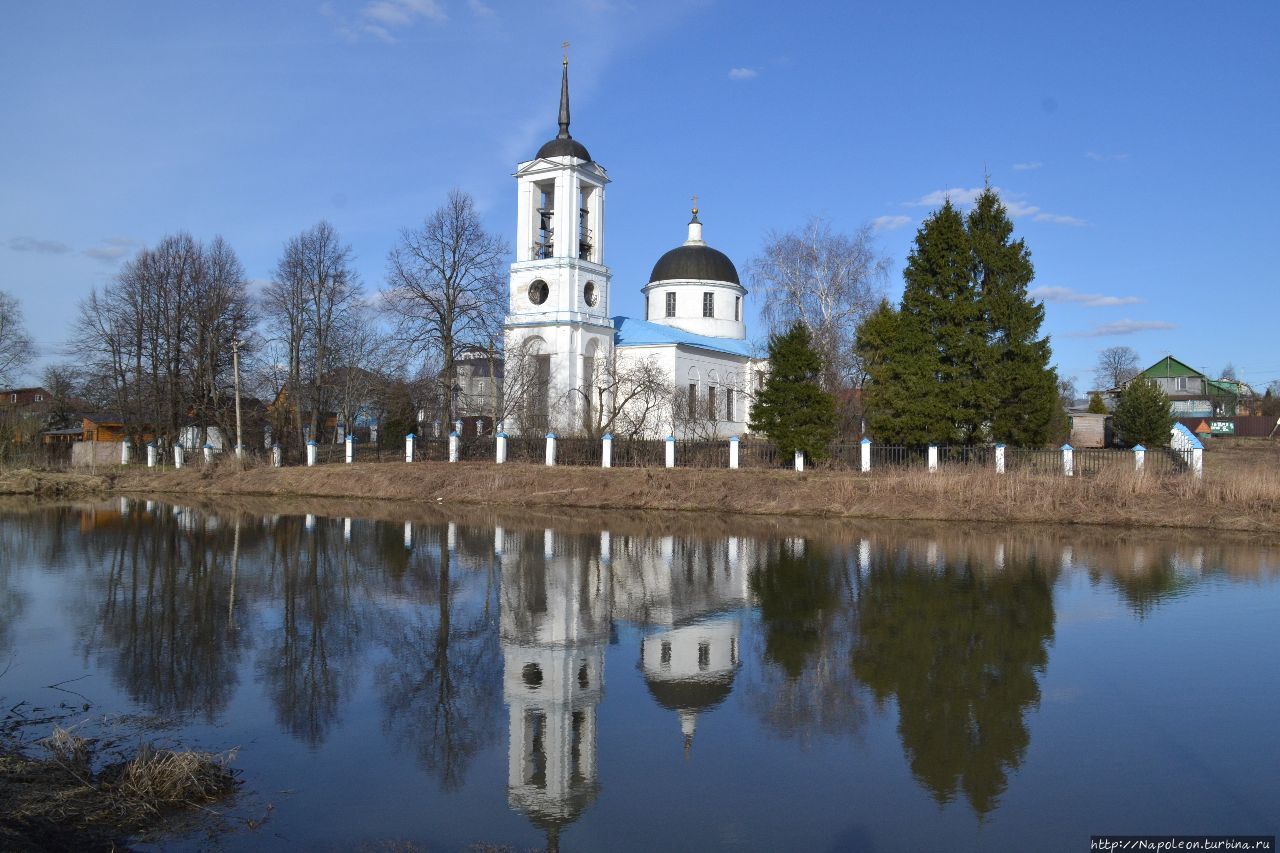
(1022, 387)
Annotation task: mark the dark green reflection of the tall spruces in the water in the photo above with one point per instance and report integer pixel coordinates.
(961, 653)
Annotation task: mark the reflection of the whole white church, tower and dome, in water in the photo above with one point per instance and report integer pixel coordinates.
(560, 595)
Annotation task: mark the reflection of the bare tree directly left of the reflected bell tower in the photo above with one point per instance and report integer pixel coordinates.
(442, 683)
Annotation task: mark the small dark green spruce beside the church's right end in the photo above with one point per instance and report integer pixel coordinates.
(793, 409)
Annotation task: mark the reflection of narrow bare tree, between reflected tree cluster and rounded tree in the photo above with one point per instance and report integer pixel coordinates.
(308, 663)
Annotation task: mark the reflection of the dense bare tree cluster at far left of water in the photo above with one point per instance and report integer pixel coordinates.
(163, 617)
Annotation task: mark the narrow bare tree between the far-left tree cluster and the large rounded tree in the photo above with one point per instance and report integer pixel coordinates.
(307, 302)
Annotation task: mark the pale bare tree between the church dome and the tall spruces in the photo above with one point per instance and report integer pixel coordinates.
(826, 280)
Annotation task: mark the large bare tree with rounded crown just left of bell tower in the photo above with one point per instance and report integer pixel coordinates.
(446, 286)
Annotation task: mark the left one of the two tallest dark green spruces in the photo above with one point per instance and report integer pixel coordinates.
(943, 316)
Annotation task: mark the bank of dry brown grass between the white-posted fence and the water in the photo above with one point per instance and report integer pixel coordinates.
(1117, 500)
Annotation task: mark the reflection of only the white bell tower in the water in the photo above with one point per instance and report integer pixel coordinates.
(555, 627)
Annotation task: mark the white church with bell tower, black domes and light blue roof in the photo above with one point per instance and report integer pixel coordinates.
(560, 326)
